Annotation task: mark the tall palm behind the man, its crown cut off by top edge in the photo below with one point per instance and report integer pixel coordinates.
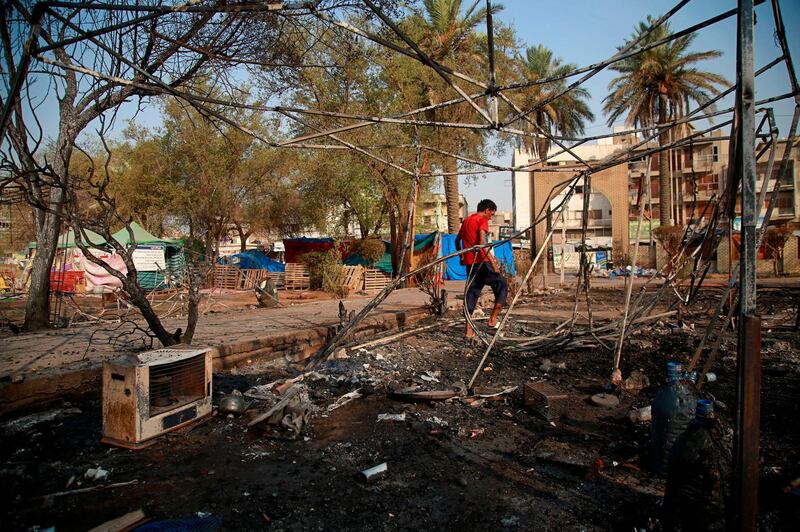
(448, 36)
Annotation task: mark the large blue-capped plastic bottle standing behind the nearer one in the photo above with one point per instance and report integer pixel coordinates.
(672, 410)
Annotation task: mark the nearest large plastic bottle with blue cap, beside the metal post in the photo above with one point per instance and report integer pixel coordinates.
(698, 476)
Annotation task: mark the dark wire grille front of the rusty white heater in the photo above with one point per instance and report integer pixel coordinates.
(176, 383)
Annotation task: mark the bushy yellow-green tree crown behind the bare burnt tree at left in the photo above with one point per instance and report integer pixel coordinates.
(207, 176)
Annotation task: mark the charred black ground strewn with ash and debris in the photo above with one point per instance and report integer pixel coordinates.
(456, 464)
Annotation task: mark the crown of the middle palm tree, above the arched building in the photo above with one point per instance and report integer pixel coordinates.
(564, 115)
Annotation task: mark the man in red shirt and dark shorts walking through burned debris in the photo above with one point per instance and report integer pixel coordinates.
(482, 267)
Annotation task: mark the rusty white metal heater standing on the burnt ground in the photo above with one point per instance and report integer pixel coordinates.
(150, 393)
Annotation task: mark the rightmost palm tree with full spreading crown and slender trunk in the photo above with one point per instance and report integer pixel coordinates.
(655, 87)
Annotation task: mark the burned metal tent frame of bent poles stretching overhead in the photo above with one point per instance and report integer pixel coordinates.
(636, 310)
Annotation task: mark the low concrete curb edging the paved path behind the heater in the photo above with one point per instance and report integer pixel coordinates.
(296, 345)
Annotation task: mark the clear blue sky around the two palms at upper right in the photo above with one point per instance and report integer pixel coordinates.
(584, 32)
